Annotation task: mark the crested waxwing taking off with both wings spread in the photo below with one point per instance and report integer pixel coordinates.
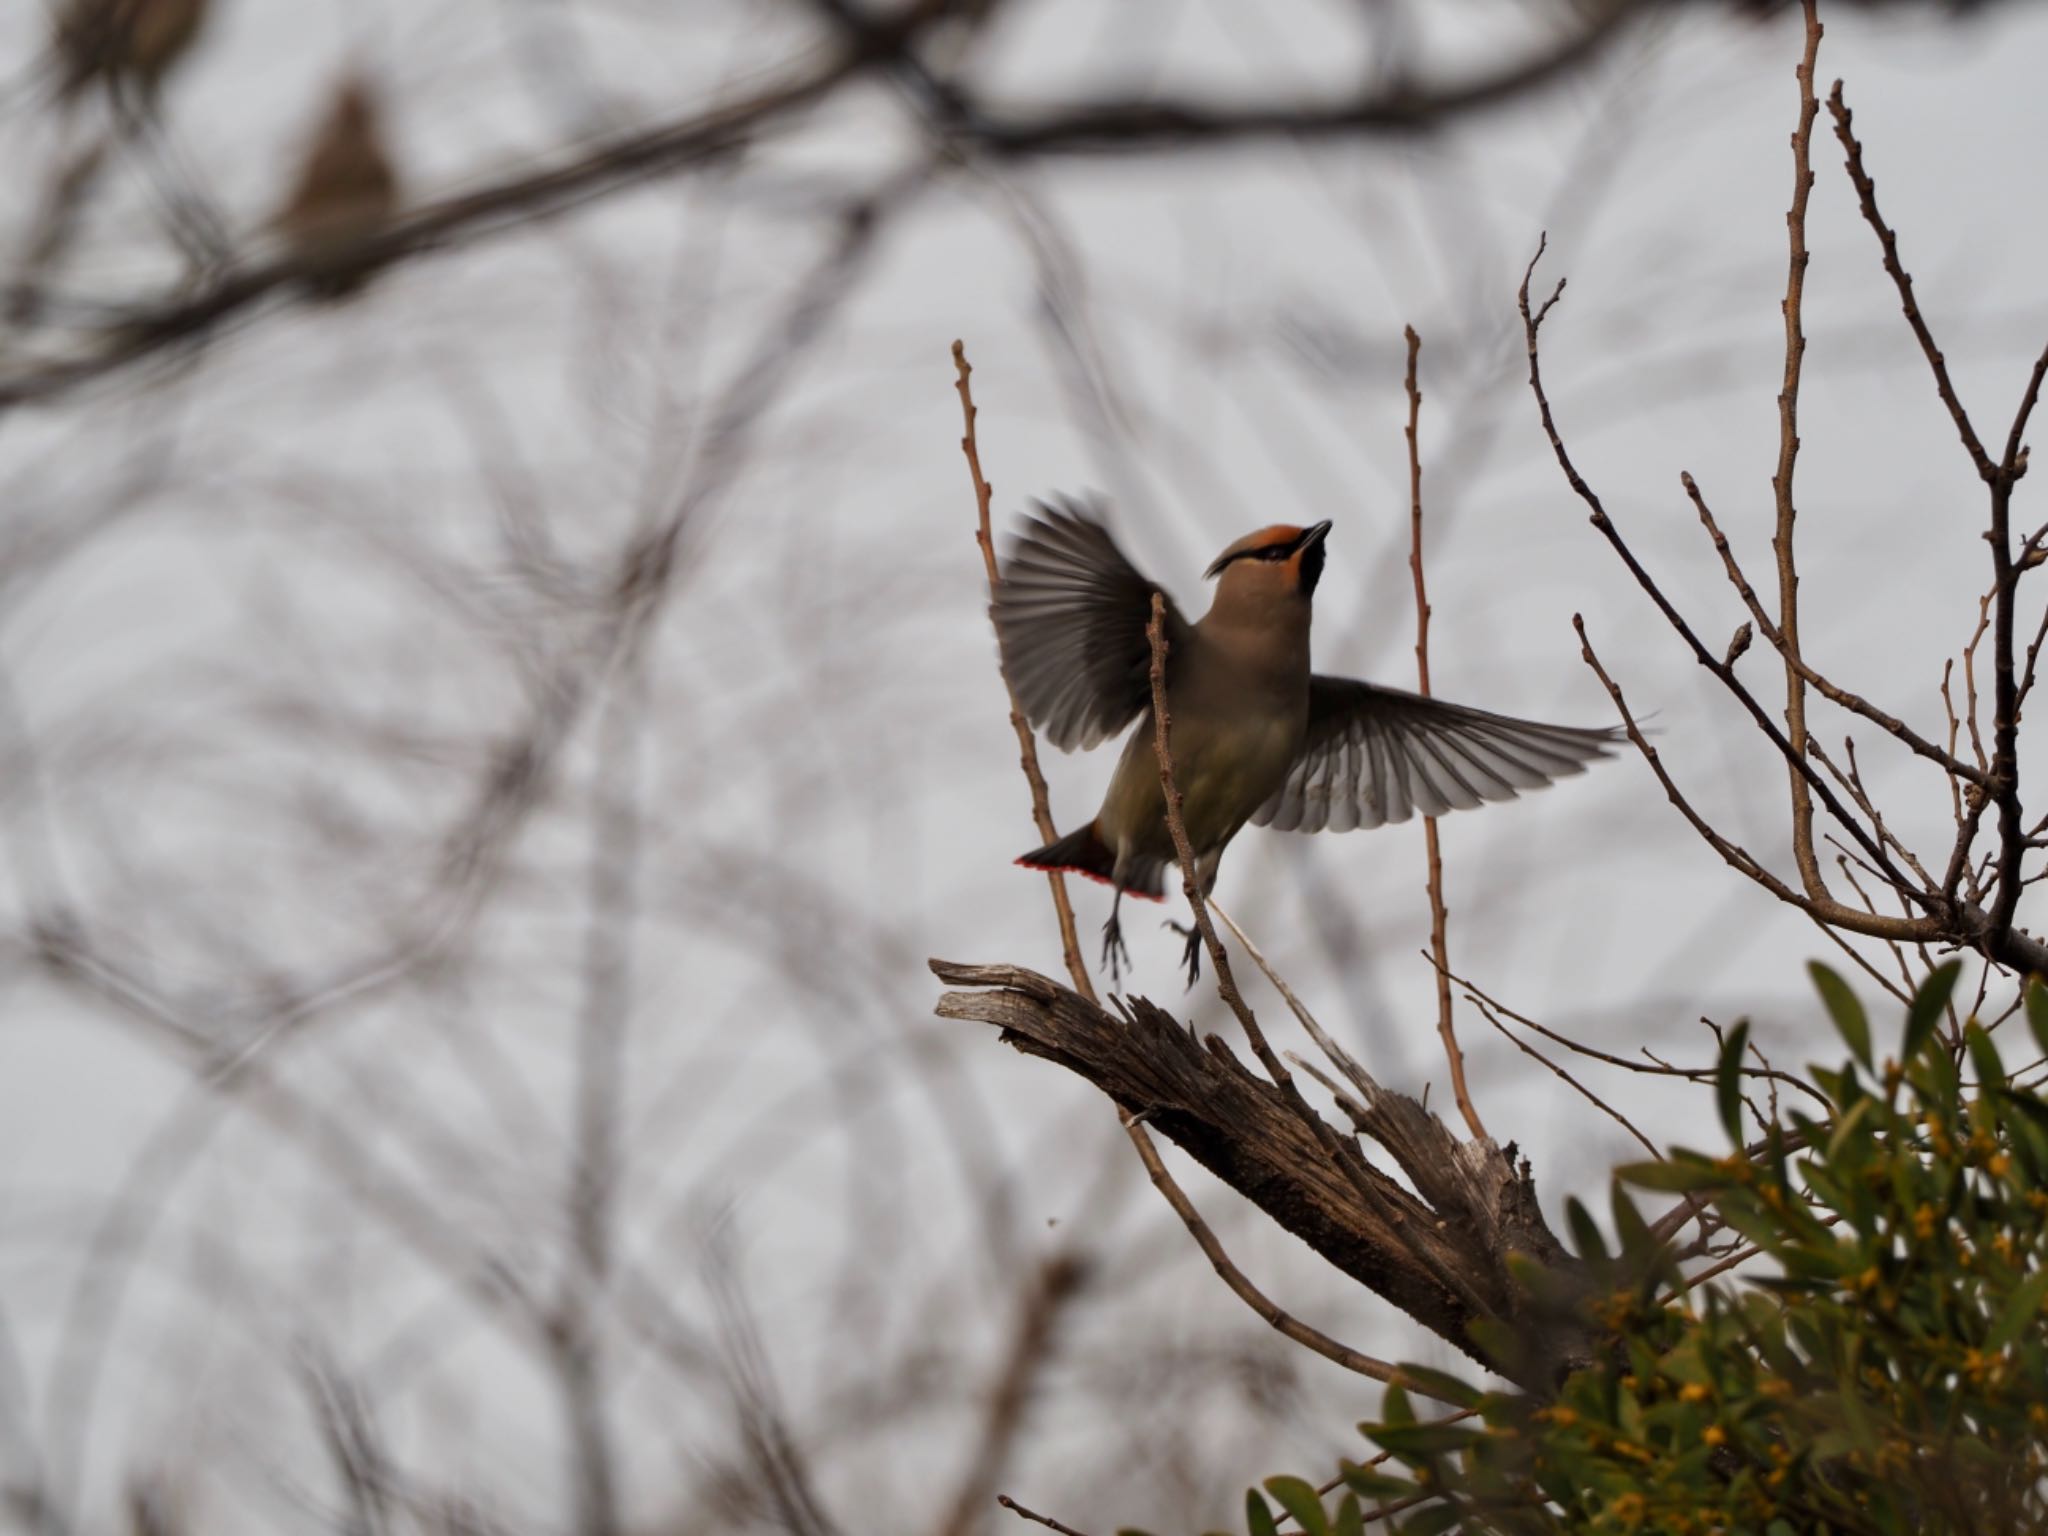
(1258, 736)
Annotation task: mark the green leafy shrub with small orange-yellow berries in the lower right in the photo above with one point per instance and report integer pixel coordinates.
(1883, 1371)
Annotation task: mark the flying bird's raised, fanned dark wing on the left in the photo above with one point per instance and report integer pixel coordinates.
(1070, 617)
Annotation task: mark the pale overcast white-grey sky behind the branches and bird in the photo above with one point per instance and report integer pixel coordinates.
(828, 781)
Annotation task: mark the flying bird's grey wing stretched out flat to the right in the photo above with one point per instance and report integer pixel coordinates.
(1379, 755)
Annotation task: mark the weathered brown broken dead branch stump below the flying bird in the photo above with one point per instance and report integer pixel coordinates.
(1439, 1246)
